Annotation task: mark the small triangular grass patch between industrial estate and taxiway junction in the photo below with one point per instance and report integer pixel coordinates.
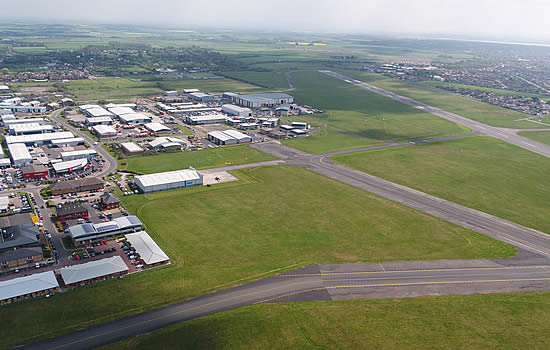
(328, 140)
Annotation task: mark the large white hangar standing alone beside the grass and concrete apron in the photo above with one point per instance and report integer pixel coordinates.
(169, 180)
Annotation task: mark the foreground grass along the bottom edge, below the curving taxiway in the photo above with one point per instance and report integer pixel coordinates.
(498, 321)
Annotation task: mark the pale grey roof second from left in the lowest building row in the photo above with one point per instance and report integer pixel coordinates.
(93, 269)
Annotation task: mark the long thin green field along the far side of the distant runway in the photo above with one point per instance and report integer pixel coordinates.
(464, 106)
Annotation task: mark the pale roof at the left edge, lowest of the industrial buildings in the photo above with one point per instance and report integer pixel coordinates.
(29, 284)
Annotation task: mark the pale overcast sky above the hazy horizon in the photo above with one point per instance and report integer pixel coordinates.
(506, 19)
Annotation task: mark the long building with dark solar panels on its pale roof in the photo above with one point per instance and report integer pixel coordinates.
(84, 233)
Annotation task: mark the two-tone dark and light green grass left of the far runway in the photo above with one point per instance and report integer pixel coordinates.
(360, 111)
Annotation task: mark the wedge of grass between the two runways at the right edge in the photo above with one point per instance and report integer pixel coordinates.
(479, 172)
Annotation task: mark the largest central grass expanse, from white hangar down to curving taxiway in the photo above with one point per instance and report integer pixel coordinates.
(231, 233)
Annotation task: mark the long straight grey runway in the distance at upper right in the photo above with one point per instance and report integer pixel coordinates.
(508, 135)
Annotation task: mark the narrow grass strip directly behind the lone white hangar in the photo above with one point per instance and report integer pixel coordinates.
(207, 158)
